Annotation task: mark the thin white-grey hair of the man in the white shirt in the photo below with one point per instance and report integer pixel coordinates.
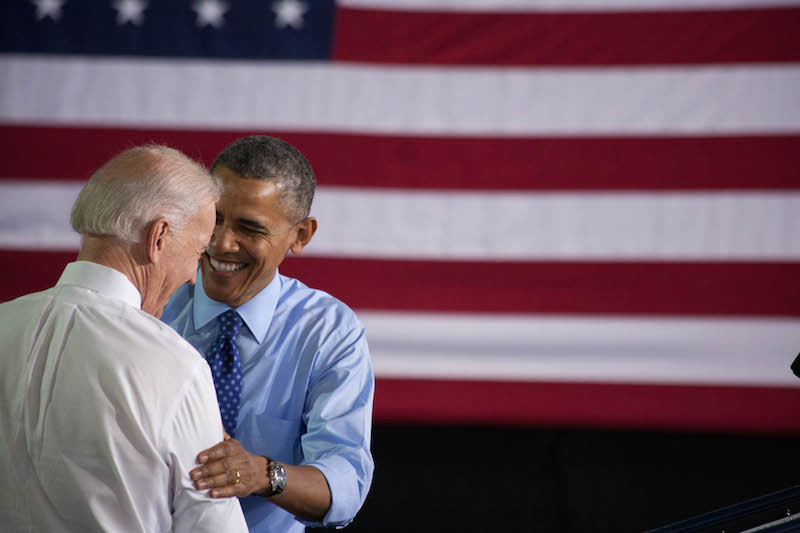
(137, 187)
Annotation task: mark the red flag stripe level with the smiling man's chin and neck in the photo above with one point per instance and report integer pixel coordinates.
(766, 289)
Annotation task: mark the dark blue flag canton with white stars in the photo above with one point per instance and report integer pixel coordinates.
(283, 29)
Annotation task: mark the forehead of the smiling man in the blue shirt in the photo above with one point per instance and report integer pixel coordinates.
(249, 198)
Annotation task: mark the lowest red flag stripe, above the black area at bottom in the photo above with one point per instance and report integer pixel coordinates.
(662, 407)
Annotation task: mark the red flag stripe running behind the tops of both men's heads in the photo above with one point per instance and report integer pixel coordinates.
(626, 163)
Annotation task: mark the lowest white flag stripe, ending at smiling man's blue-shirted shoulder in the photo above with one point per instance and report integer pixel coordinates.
(583, 349)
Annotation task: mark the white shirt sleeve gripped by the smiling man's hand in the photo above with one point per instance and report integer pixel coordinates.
(195, 426)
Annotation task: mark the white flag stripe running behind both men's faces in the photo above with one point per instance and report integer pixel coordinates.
(495, 226)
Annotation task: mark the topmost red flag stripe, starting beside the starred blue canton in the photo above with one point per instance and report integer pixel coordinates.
(596, 38)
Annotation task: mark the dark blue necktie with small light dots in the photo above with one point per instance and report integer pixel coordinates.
(226, 369)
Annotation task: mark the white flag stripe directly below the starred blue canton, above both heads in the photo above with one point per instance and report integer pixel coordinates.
(703, 100)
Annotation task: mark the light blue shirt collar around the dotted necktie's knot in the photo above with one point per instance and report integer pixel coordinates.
(256, 312)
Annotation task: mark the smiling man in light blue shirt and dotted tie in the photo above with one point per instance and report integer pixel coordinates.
(291, 364)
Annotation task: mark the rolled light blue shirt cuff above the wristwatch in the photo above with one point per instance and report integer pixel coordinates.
(345, 496)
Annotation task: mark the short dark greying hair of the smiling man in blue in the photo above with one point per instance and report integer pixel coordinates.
(271, 159)
